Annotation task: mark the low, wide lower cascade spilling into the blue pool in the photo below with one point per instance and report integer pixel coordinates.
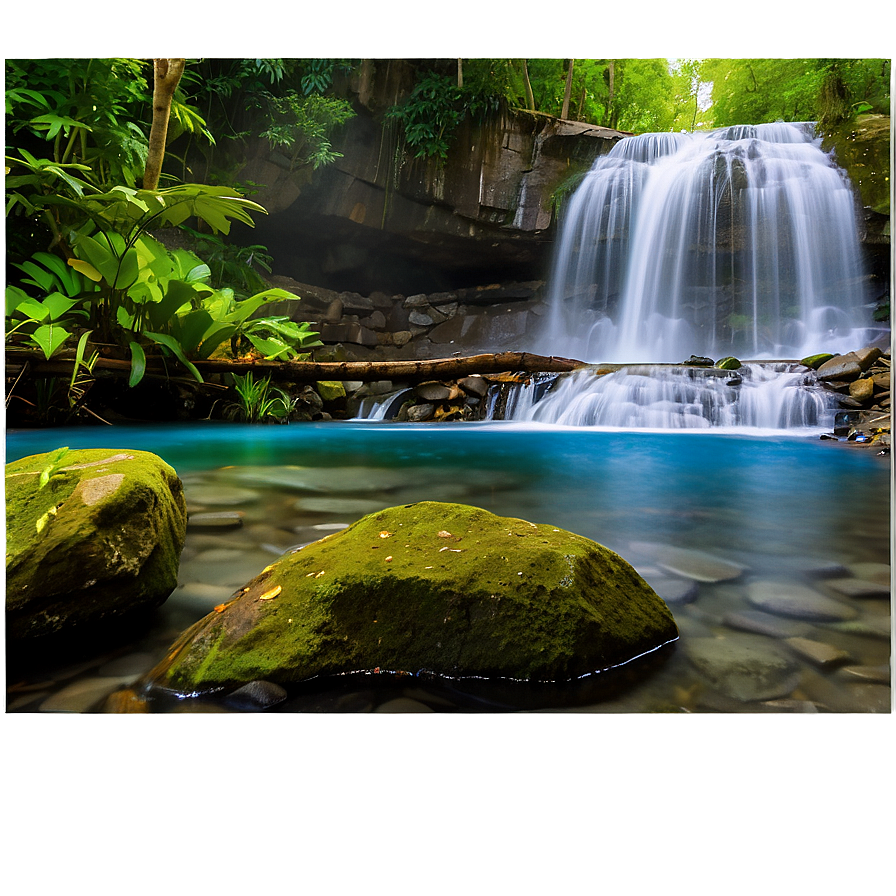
(757, 396)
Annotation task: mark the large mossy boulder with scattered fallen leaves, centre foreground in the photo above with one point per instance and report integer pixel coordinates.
(428, 589)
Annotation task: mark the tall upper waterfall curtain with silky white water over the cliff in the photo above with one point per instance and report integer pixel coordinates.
(741, 241)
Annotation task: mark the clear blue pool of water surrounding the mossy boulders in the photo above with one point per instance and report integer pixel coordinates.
(776, 506)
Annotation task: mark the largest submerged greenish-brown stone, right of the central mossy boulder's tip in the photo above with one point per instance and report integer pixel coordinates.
(744, 670)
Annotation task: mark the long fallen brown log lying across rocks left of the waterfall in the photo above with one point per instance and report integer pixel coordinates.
(312, 371)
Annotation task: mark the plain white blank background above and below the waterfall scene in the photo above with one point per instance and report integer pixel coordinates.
(517, 805)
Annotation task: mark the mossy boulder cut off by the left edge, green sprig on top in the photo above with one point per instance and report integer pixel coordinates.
(91, 542)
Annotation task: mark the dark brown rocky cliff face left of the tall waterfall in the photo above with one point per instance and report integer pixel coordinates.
(379, 219)
